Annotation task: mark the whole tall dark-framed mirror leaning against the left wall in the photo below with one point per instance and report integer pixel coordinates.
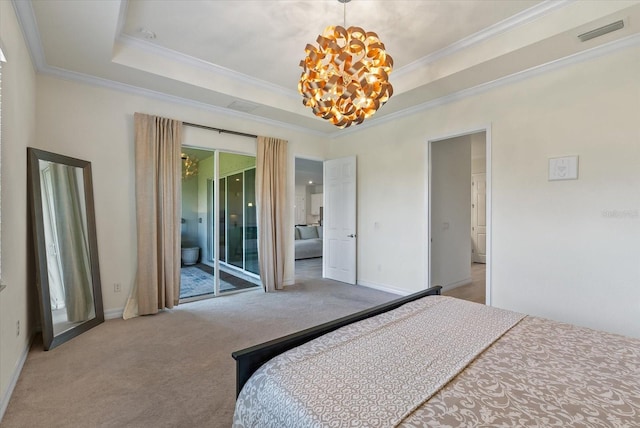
(64, 232)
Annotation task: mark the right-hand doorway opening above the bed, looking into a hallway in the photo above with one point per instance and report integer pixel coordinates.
(459, 227)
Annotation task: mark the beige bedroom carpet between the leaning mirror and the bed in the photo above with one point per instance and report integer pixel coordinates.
(173, 369)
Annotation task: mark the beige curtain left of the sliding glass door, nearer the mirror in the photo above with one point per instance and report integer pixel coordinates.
(158, 172)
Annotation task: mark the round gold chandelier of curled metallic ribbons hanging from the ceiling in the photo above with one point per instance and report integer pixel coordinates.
(345, 79)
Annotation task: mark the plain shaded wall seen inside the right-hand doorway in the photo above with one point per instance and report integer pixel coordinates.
(451, 212)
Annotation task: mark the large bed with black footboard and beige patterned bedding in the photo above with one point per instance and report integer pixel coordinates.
(430, 360)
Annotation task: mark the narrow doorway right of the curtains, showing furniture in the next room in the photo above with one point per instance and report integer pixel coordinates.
(309, 214)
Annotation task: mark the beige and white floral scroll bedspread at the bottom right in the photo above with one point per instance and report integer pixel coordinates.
(543, 373)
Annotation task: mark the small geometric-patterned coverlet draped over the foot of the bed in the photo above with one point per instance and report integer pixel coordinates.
(374, 373)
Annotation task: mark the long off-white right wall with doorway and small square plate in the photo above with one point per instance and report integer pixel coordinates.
(564, 250)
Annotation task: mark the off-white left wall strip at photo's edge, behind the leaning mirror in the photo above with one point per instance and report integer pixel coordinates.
(18, 302)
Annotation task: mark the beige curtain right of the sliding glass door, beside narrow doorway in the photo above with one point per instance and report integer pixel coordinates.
(271, 177)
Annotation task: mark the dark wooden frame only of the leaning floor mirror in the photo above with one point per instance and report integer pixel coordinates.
(49, 339)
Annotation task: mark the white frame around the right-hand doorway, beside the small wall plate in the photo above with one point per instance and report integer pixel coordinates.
(447, 136)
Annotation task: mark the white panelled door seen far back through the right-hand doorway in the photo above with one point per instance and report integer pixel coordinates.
(479, 218)
